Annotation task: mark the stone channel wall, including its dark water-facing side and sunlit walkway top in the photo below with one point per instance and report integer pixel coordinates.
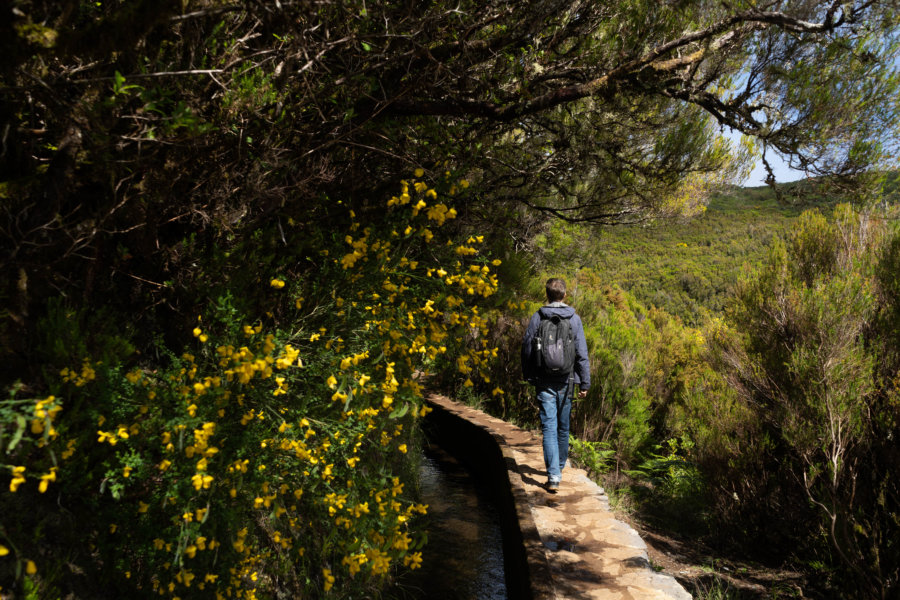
(556, 546)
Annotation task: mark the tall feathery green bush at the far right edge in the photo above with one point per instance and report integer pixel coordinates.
(809, 350)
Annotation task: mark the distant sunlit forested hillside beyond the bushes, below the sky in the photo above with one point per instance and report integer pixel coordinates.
(686, 267)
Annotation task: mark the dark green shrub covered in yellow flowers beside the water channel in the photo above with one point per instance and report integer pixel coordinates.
(264, 460)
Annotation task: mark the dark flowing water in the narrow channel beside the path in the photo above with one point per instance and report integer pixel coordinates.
(463, 559)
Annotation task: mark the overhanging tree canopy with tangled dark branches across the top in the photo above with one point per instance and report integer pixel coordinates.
(139, 136)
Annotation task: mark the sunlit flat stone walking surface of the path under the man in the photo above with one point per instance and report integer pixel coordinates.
(589, 553)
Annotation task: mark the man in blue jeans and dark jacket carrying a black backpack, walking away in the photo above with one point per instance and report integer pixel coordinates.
(554, 360)
